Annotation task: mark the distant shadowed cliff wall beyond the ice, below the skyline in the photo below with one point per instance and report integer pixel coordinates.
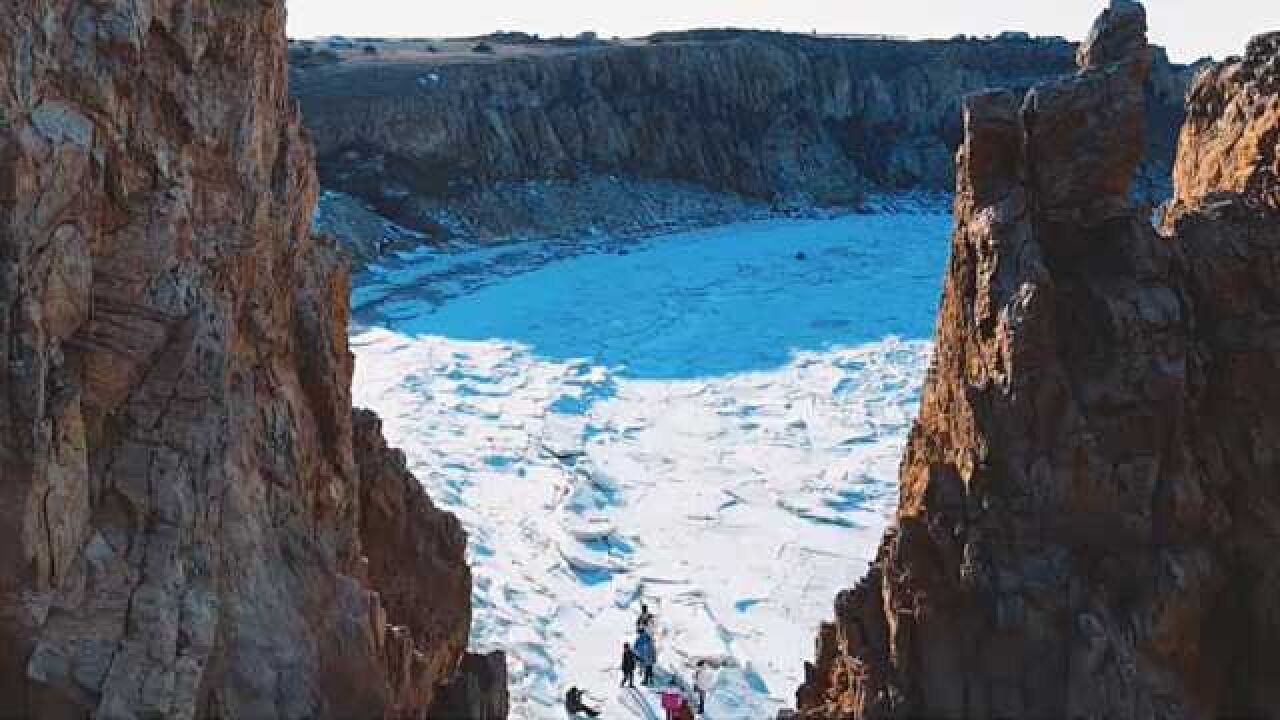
(778, 119)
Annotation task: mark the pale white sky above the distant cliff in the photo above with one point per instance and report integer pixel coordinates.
(1190, 29)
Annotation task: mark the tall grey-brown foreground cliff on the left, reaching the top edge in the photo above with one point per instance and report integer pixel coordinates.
(180, 495)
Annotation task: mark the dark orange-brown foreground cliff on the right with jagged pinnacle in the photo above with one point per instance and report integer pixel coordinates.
(1089, 514)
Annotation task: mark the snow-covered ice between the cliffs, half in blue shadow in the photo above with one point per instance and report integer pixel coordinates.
(710, 422)
